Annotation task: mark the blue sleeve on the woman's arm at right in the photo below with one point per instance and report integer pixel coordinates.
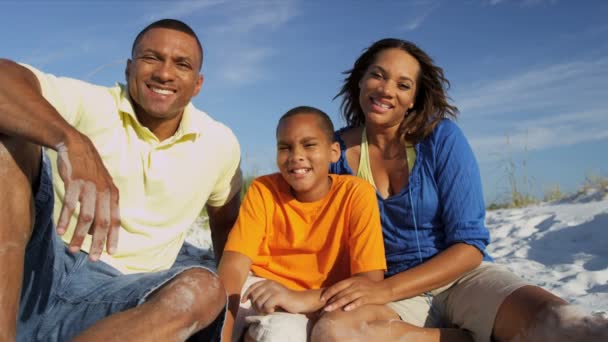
(459, 186)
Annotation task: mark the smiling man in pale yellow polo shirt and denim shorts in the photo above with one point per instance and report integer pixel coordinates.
(143, 141)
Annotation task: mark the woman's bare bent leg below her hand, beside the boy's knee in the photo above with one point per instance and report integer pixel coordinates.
(378, 323)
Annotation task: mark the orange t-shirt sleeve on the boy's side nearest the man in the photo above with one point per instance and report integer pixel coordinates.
(250, 228)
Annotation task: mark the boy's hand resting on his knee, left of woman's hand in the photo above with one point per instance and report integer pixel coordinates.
(268, 296)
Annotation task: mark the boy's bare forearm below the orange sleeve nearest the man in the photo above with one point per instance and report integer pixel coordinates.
(233, 270)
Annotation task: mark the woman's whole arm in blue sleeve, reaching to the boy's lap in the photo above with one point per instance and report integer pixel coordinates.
(458, 183)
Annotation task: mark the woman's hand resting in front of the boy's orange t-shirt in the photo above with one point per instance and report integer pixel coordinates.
(354, 292)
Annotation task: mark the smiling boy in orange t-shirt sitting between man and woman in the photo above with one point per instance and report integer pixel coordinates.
(298, 231)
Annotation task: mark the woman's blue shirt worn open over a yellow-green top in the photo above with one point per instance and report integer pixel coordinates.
(441, 205)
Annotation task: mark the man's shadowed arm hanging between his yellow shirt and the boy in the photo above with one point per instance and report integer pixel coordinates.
(221, 220)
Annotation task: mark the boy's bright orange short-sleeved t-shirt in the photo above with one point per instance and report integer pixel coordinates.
(309, 245)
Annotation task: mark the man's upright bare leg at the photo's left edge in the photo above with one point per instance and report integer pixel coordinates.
(19, 170)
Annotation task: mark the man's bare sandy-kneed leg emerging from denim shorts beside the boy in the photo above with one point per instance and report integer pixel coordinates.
(177, 310)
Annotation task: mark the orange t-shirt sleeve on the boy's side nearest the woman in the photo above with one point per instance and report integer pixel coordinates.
(366, 242)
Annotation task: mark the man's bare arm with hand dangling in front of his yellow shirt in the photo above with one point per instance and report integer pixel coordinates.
(26, 114)
